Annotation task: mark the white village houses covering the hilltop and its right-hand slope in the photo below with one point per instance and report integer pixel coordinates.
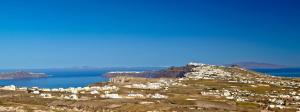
(276, 100)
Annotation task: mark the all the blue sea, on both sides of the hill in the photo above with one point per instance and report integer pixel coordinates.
(64, 78)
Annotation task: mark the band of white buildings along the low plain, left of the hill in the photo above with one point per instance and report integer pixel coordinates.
(104, 92)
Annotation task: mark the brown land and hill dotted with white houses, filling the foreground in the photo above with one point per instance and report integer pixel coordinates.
(193, 88)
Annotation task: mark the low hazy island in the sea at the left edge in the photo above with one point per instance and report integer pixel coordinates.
(21, 75)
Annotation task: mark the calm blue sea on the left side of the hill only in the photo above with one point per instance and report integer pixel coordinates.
(65, 78)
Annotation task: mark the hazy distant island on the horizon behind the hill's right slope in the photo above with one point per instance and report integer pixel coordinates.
(257, 65)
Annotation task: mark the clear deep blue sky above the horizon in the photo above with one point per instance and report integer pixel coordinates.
(106, 33)
